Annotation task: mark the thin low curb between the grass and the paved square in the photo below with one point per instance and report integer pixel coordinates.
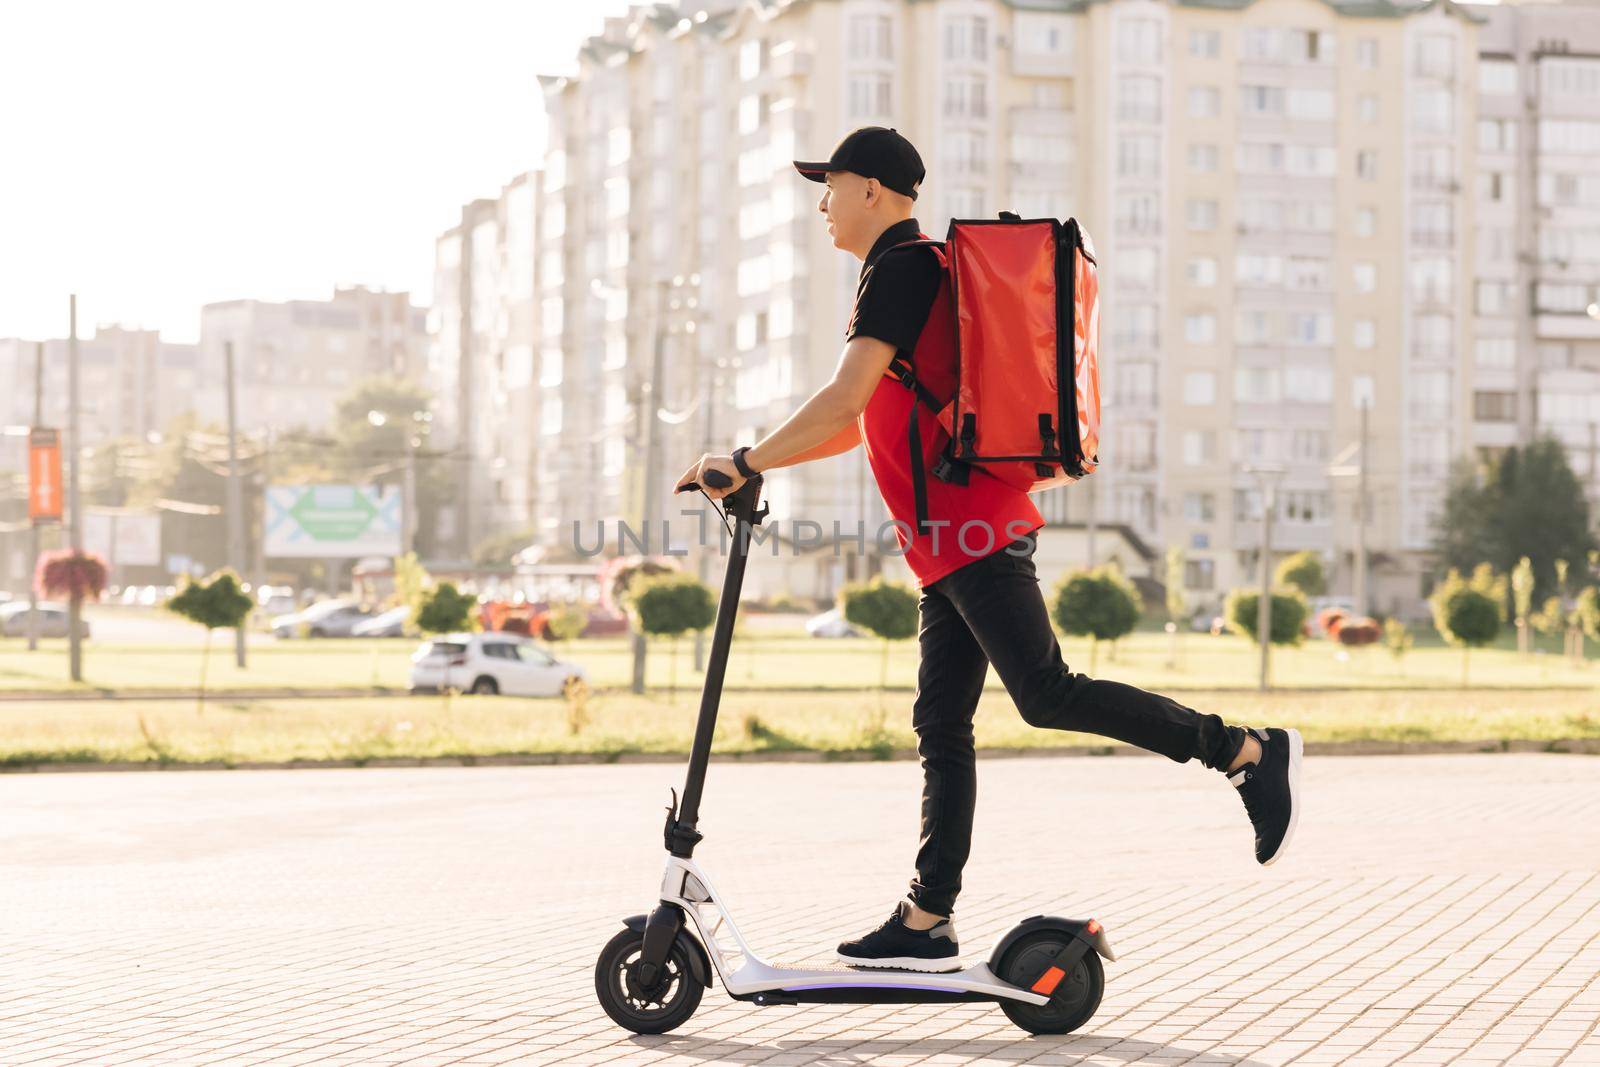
(1567, 746)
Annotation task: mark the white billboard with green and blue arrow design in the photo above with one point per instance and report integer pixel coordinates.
(332, 522)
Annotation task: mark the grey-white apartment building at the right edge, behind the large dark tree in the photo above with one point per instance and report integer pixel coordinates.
(1537, 302)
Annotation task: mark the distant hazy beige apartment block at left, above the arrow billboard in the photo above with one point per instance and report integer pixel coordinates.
(295, 361)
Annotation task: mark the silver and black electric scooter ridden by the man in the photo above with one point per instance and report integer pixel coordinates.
(1046, 972)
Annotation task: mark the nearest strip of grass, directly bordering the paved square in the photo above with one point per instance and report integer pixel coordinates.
(841, 724)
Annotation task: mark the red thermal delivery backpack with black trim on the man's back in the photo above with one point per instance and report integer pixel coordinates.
(1023, 302)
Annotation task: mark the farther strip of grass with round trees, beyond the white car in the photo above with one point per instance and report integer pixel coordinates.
(766, 661)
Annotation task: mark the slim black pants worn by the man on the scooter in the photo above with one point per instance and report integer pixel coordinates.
(991, 612)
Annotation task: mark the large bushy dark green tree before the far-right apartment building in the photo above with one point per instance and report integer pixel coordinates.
(1529, 503)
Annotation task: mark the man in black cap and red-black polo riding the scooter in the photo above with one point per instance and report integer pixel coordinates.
(982, 607)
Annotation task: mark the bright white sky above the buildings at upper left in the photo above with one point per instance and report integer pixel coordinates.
(162, 156)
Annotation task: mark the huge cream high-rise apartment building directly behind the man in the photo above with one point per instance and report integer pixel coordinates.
(1282, 196)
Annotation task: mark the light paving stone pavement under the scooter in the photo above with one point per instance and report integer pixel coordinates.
(1433, 909)
